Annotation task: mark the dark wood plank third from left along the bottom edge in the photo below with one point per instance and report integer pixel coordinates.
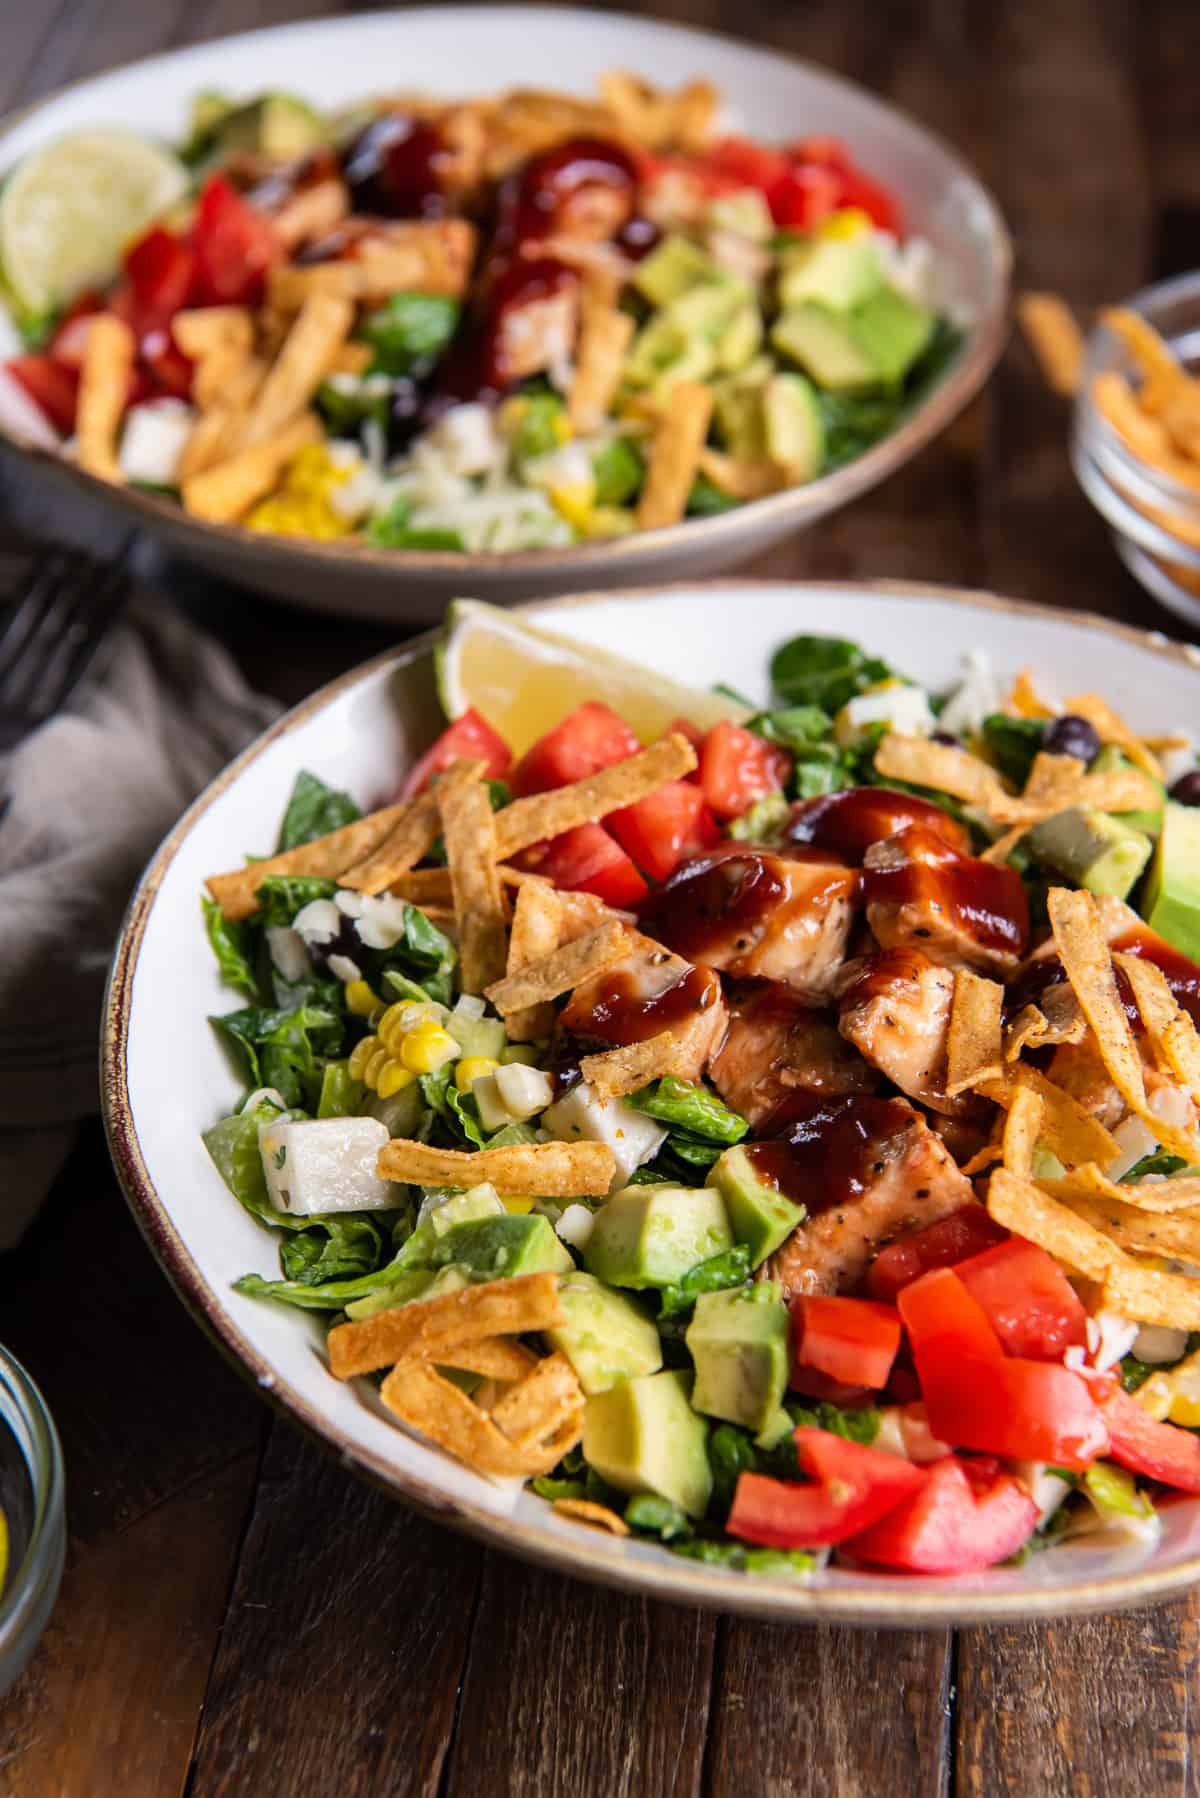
(577, 1689)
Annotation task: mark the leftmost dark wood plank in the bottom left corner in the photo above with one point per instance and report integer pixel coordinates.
(109, 1705)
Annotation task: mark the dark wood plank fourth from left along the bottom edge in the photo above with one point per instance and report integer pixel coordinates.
(823, 1713)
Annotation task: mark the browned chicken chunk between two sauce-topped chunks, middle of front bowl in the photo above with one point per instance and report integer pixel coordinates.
(778, 1047)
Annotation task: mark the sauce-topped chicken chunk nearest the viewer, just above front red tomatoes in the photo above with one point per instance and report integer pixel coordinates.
(868, 1170)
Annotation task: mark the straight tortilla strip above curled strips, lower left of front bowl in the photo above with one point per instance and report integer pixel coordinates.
(434, 1330)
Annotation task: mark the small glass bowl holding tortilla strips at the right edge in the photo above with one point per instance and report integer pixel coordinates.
(1154, 517)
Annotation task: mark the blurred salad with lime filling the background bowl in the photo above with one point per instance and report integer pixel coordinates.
(463, 325)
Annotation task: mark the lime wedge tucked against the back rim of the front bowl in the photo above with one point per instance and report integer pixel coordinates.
(526, 679)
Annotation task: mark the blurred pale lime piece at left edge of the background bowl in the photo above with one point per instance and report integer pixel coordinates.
(71, 209)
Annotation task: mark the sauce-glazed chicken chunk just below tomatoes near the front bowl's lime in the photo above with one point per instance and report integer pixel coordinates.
(757, 914)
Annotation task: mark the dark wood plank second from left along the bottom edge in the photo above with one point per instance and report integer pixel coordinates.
(345, 1642)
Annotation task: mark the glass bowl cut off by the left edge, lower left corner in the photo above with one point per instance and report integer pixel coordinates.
(31, 1497)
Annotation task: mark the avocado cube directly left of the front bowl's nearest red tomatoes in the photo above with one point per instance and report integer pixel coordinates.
(740, 1346)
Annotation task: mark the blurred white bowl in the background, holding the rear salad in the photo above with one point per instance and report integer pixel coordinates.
(487, 49)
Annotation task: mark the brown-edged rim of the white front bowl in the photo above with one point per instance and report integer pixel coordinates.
(909, 1603)
